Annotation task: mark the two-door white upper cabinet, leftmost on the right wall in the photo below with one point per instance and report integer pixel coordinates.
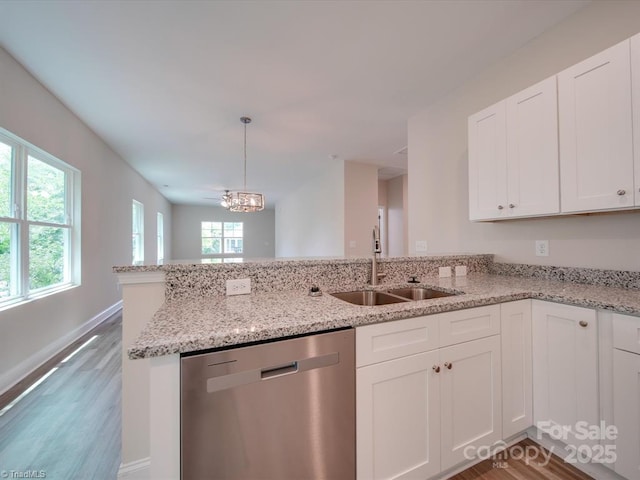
(513, 156)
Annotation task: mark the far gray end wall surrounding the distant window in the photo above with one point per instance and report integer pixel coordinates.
(259, 230)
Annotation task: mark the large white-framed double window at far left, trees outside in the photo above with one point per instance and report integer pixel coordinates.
(39, 231)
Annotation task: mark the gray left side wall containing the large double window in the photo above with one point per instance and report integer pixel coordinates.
(33, 331)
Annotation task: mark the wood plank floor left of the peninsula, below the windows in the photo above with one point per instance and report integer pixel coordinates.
(68, 427)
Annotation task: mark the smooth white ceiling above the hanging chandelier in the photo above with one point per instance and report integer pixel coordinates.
(165, 83)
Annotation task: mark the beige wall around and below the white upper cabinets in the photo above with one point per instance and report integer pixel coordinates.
(438, 185)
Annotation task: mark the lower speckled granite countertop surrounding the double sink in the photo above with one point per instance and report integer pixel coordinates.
(192, 324)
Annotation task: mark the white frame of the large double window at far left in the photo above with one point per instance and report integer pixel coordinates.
(20, 224)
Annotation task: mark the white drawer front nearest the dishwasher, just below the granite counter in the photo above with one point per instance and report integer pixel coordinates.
(386, 341)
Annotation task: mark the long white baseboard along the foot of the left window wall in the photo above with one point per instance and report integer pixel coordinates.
(28, 365)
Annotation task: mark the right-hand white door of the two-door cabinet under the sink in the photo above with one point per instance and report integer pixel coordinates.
(471, 399)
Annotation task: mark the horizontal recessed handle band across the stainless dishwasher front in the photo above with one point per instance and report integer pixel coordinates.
(225, 382)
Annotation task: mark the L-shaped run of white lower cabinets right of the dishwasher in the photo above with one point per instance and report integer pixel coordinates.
(431, 390)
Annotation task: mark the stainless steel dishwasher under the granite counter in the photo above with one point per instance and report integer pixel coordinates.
(282, 410)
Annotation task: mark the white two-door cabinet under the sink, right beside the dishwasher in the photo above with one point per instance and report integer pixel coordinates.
(423, 413)
